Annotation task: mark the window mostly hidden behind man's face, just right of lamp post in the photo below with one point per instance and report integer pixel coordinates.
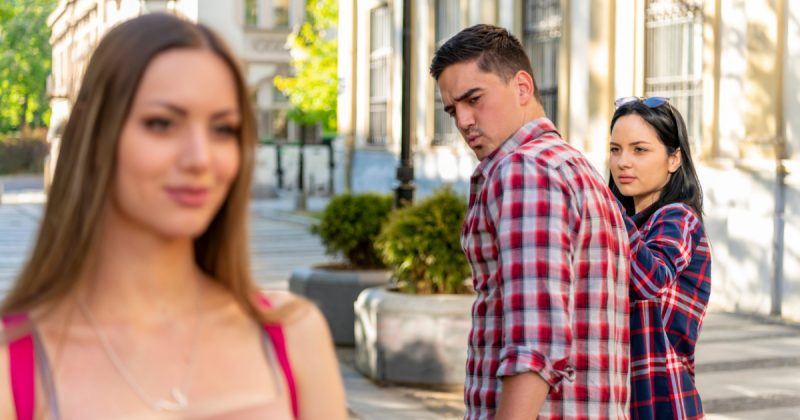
(448, 23)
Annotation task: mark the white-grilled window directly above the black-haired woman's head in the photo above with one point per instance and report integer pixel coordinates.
(674, 58)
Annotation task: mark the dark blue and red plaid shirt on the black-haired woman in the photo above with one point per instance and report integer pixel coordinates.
(670, 284)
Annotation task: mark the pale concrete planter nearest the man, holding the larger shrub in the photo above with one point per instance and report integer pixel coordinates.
(412, 339)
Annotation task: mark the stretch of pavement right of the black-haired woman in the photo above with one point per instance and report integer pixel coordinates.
(749, 368)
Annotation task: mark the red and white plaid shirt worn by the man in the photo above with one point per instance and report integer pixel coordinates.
(549, 256)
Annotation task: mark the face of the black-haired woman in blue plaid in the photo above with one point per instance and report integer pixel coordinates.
(639, 161)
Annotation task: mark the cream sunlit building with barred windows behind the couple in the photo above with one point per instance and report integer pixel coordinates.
(730, 67)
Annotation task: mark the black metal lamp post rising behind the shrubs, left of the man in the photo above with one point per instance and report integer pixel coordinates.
(404, 193)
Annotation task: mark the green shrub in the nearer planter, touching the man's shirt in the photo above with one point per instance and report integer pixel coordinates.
(422, 243)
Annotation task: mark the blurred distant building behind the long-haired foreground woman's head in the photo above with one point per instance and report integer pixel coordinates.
(257, 30)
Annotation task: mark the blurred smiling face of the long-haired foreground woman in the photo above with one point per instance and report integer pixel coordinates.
(179, 149)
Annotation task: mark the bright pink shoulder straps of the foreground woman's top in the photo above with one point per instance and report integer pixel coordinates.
(22, 365)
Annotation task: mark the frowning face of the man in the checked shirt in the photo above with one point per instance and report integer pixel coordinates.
(486, 110)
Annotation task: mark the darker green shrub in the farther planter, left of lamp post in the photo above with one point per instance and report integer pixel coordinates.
(350, 225)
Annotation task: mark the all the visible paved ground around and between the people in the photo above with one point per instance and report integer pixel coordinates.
(747, 367)
